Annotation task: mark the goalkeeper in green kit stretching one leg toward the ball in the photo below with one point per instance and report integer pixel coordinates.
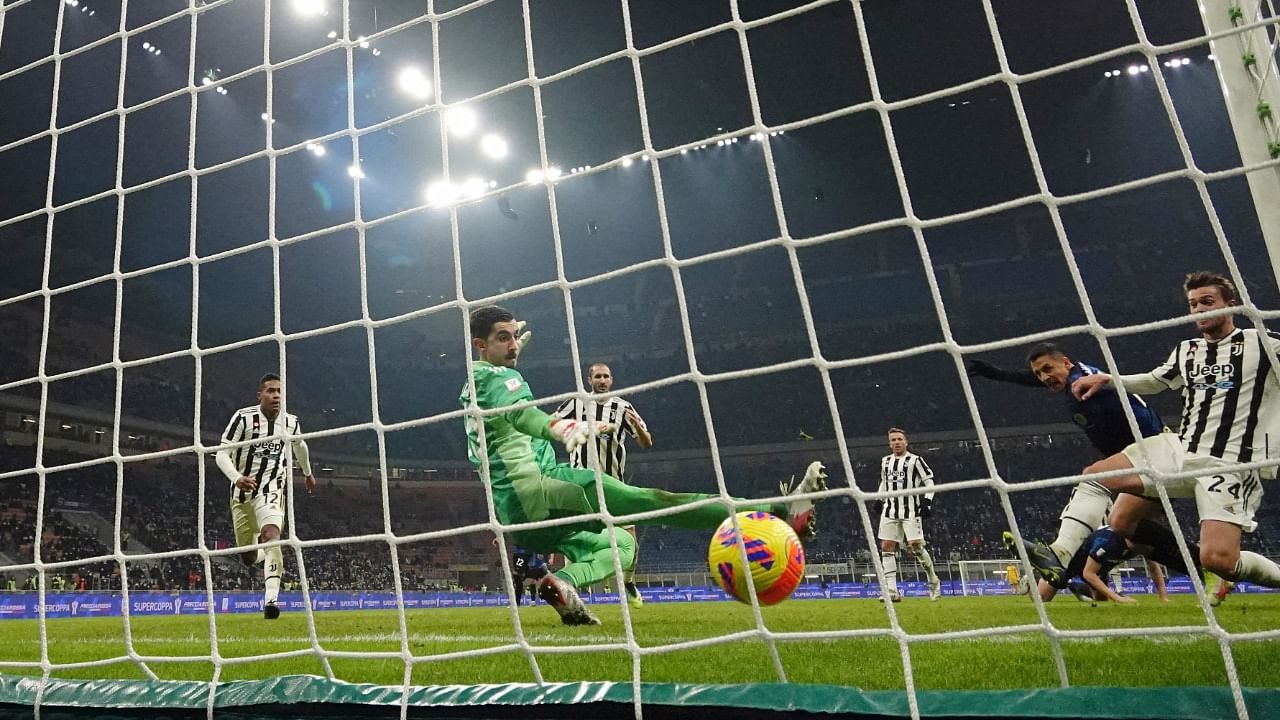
(529, 486)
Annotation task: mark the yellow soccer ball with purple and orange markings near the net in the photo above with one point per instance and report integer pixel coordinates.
(774, 553)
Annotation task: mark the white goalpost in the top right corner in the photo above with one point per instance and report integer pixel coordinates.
(1249, 81)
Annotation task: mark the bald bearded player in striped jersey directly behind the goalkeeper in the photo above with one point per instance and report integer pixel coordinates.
(611, 450)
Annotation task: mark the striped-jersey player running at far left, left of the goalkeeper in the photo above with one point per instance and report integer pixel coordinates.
(259, 473)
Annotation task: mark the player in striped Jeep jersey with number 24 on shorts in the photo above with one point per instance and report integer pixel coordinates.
(1231, 408)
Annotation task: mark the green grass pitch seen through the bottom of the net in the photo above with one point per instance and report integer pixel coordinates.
(988, 662)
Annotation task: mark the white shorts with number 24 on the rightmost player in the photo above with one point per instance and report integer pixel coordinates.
(1229, 496)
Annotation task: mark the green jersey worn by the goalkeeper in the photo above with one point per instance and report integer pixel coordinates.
(518, 441)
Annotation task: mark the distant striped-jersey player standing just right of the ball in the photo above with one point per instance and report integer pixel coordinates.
(902, 518)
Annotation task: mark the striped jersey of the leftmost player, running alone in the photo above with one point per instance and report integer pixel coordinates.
(269, 461)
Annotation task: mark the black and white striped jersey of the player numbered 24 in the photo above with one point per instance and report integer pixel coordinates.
(1229, 395)
